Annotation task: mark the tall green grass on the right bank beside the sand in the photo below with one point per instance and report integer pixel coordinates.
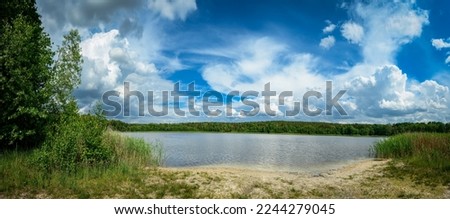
(421, 157)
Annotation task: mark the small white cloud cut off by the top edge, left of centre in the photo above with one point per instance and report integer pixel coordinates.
(173, 9)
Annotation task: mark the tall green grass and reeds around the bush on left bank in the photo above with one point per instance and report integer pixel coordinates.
(21, 177)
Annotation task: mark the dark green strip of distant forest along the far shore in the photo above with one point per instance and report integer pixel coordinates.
(316, 128)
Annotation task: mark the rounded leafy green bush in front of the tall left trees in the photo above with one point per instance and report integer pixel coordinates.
(77, 142)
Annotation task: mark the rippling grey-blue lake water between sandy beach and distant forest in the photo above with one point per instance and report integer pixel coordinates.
(259, 151)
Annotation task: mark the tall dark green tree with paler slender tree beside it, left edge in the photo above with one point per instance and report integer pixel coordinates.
(36, 89)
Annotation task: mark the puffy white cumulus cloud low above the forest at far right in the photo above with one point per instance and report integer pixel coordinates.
(386, 94)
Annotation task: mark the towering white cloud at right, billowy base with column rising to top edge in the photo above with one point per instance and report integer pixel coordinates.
(377, 87)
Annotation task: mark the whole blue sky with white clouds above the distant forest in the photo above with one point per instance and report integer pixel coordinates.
(391, 59)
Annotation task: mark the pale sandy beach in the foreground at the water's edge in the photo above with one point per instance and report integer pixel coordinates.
(360, 179)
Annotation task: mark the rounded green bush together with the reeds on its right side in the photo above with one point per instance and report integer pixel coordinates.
(83, 141)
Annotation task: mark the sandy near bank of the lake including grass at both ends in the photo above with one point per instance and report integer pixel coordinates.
(368, 178)
